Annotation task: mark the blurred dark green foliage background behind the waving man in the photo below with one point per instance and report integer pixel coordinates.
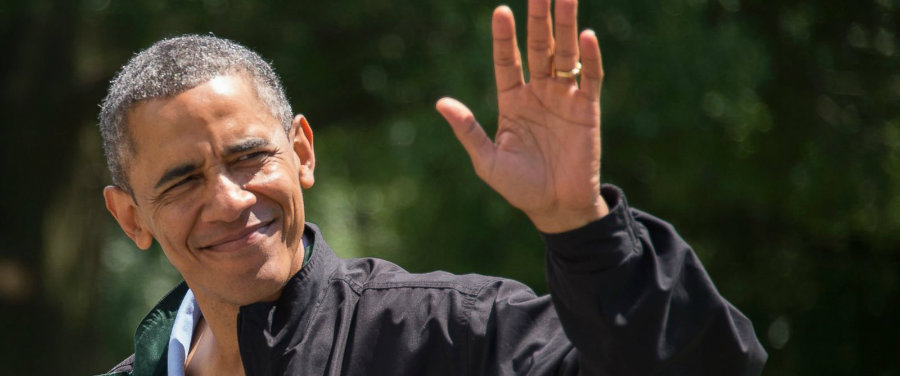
(767, 132)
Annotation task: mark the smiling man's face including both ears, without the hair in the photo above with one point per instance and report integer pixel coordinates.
(218, 184)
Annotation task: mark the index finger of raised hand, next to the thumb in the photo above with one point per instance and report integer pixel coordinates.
(507, 61)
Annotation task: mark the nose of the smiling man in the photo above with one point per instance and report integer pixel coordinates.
(228, 200)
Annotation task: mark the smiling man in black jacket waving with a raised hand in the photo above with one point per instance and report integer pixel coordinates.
(207, 160)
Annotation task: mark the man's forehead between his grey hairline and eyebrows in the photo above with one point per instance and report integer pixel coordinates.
(197, 124)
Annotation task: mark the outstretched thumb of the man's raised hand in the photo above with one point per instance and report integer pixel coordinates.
(468, 132)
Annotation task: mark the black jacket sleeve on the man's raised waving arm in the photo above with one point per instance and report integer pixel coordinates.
(634, 299)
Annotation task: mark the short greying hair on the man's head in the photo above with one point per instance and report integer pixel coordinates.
(170, 67)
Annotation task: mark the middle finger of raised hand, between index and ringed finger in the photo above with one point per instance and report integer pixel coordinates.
(540, 39)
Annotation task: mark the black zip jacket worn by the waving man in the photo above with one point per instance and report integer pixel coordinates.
(628, 297)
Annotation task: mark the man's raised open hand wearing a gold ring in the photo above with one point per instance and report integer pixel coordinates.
(545, 157)
